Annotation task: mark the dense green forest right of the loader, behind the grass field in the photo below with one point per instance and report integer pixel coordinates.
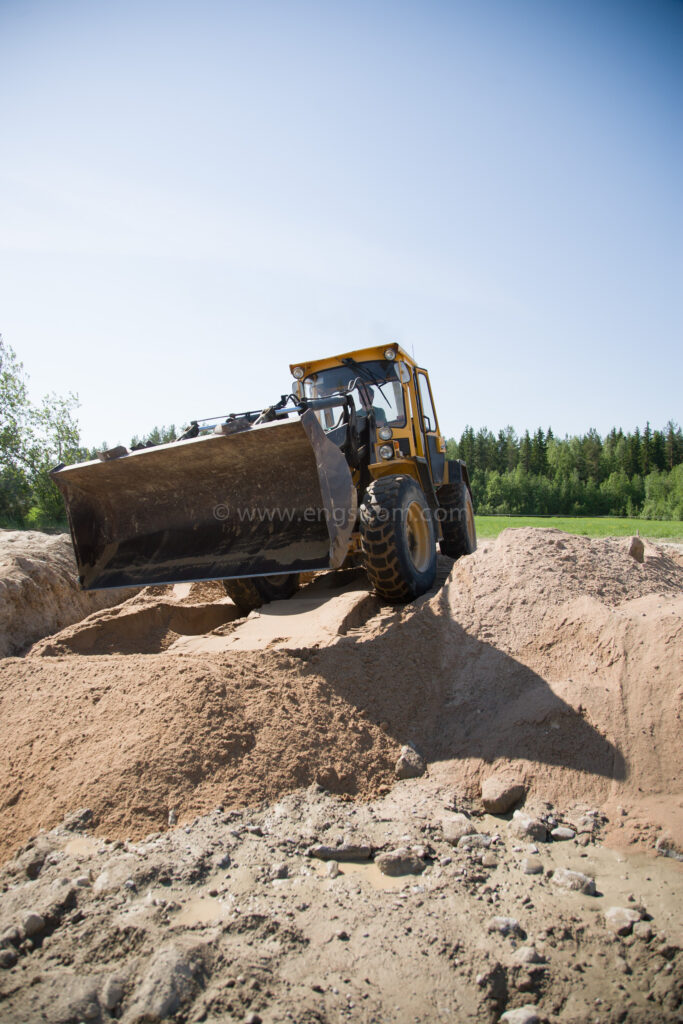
(622, 475)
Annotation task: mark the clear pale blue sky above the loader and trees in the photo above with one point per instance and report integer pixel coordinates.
(194, 196)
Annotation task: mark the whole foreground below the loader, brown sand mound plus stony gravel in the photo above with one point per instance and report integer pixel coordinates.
(202, 817)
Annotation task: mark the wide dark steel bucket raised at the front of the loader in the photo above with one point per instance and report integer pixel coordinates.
(275, 499)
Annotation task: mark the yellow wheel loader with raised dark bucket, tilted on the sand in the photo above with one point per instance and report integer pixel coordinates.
(348, 470)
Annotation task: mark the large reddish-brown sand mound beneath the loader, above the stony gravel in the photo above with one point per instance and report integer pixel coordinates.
(553, 657)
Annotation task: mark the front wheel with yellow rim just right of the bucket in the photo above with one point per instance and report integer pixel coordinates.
(398, 539)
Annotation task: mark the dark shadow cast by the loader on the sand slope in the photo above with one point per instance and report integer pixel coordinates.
(429, 681)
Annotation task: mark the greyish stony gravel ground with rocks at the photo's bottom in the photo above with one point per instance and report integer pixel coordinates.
(412, 909)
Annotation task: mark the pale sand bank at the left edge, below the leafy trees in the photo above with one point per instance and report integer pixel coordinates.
(39, 592)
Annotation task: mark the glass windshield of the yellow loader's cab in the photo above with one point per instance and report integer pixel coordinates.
(375, 385)
